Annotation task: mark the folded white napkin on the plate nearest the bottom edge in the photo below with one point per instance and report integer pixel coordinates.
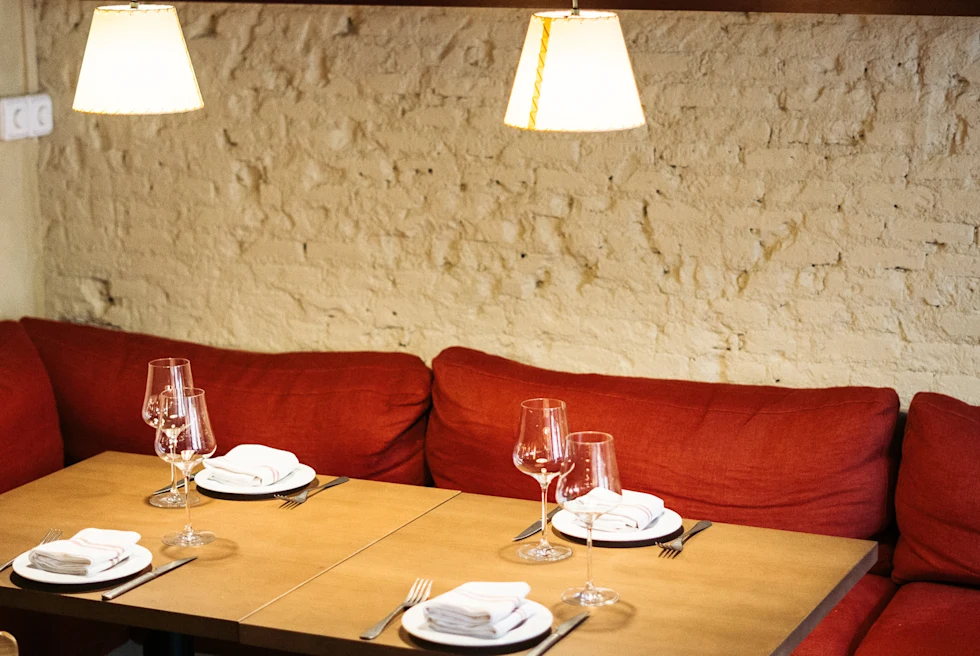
(480, 610)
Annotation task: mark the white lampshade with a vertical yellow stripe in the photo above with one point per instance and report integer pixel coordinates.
(574, 76)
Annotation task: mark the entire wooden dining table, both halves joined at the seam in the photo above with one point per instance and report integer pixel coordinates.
(311, 579)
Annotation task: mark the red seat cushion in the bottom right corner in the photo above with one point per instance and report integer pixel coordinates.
(927, 619)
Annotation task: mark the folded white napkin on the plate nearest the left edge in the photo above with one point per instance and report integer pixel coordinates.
(90, 551)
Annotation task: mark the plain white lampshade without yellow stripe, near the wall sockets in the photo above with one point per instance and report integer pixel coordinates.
(136, 62)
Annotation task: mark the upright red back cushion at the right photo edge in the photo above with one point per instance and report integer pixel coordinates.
(937, 500)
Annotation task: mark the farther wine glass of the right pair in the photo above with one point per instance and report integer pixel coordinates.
(539, 453)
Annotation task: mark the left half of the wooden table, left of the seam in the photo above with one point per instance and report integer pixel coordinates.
(261, 553)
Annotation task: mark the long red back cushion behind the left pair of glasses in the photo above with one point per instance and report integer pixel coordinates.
(359, 414)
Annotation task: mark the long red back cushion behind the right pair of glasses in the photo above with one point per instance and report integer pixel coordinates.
(816, 460)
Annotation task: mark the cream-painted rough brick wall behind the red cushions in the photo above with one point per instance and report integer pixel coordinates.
(800, 209)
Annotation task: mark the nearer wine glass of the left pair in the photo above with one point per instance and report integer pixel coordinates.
(184, 438)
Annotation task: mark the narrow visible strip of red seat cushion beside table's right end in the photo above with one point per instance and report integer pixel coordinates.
(848, 622)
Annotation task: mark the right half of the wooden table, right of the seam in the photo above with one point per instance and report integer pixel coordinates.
(734, 589)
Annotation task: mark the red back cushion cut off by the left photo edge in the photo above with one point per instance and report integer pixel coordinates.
(30, 443)
